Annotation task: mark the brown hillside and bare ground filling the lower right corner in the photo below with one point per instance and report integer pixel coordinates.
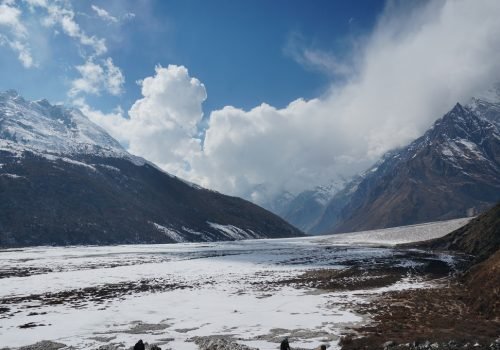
(459, 311)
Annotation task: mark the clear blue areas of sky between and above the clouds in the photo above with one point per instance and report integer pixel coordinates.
(240, 50)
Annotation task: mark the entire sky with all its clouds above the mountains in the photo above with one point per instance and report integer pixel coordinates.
(254, 98)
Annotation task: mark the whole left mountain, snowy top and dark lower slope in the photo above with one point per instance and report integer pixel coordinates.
(64, 180)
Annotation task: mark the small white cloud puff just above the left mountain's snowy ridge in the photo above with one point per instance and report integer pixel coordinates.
(98, 77)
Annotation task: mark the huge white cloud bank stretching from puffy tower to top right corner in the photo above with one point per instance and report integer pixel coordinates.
(416, 64)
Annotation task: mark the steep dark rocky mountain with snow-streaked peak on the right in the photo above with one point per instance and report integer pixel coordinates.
(452, 171)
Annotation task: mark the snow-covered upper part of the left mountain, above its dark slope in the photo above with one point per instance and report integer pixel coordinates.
(43, 128)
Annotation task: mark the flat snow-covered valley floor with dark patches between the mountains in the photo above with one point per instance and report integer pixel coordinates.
(256, 291)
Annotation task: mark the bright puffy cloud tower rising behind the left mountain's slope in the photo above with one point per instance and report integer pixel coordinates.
(162, 125)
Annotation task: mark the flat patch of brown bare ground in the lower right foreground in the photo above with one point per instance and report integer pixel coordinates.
(434, 315)
